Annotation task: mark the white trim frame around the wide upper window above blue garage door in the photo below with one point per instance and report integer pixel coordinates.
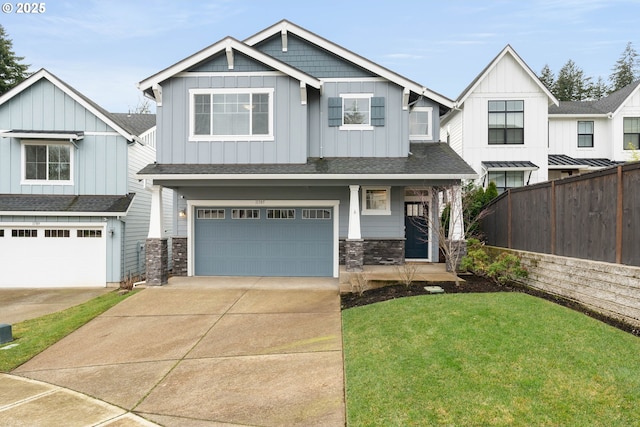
(250, 91)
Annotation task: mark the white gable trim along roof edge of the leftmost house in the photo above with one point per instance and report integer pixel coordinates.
(95, 109)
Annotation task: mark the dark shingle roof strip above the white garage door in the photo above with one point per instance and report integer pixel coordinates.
(64, 203)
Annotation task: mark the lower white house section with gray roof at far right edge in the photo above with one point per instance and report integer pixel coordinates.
(588, 135)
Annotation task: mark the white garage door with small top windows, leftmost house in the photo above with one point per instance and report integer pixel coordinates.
(52, 256)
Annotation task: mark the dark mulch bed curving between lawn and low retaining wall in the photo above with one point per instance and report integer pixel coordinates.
(472, 284)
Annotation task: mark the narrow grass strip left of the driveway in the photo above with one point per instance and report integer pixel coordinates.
(35, 335)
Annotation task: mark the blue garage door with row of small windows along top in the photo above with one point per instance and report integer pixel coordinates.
(263, 241)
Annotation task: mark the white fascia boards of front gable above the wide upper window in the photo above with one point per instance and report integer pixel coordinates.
(222, 45)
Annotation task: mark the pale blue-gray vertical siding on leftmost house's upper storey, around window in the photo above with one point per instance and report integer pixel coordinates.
(100, 162)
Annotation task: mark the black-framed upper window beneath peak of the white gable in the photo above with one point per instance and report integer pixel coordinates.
(506, 122)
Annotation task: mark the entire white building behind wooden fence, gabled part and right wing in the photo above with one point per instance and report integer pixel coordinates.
(514, 132)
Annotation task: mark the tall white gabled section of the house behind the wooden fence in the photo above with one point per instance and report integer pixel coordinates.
(499, 123)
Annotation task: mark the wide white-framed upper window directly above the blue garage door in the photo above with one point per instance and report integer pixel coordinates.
(231, 114)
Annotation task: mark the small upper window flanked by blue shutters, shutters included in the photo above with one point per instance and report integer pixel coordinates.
(356, 111)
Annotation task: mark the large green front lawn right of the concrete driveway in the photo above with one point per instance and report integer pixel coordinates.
(501, 359)
